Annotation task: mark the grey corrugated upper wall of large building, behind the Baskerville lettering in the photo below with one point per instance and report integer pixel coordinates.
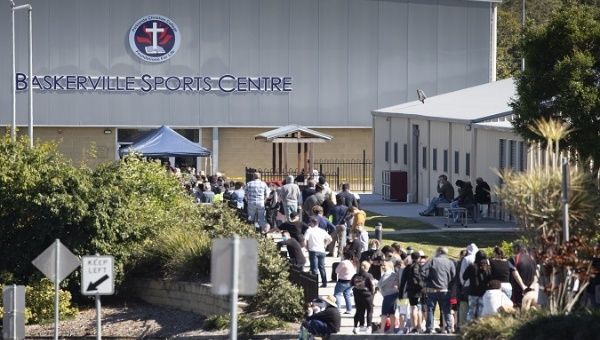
(346, 58)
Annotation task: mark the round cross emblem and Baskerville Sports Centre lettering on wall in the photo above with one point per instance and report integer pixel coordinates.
(155, 39)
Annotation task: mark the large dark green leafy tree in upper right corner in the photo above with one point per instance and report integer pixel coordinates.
(562, 77)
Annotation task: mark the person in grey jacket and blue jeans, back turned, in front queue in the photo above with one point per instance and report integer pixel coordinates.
(439, 273)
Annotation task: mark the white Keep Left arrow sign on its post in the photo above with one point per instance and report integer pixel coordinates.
(97, 279)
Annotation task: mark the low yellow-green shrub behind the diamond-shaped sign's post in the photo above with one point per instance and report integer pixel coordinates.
(39, 302)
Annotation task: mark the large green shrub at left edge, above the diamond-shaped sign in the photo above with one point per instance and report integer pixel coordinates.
(42, 197)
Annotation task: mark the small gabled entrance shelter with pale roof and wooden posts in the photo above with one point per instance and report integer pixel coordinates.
(300, 135)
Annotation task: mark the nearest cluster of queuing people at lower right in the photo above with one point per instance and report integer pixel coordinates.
(413, 285)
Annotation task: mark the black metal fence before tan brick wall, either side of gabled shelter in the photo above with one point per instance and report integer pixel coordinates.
(356, 172)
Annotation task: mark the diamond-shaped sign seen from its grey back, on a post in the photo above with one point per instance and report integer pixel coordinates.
(56, 262)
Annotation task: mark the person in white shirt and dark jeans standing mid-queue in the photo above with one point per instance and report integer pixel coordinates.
(315, 241)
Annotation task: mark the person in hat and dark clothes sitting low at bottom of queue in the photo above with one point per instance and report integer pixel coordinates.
(323, 319)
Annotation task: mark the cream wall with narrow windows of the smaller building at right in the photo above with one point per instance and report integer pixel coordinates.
(442, 135)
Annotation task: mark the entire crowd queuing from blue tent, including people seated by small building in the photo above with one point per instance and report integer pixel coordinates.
(313, 218)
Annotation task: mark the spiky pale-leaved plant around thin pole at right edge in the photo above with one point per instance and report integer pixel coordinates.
(534, 198)
